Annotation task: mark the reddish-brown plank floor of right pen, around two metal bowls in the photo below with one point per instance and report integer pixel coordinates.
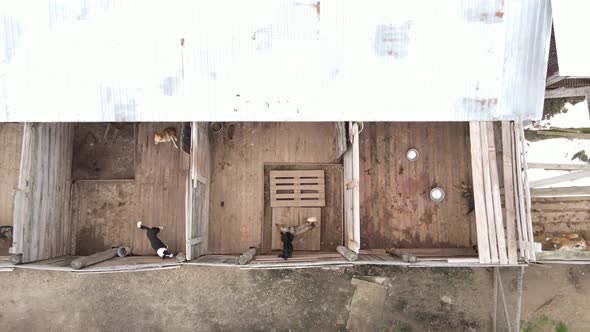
(396, 210)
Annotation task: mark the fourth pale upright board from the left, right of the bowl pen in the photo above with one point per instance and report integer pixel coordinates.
(508, 169)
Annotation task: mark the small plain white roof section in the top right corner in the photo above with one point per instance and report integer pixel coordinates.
(570, 21)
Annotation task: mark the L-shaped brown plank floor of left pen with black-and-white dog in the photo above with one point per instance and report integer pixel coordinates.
(106, 212)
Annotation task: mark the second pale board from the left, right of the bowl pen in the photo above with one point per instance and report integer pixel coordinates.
(488, 194)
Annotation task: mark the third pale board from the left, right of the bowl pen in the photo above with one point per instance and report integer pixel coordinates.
(497, 204)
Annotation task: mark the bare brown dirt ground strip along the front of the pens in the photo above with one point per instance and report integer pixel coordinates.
(228, 299)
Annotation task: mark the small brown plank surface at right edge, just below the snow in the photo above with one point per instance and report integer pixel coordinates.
(561, 214)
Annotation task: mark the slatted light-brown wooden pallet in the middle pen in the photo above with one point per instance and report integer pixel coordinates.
(297, 188)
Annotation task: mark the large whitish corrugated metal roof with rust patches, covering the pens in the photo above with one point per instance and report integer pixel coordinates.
(273, 60)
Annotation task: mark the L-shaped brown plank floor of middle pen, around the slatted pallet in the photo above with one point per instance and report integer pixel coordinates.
(239, 152)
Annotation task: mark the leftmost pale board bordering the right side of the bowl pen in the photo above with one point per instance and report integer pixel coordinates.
(483, 243)
